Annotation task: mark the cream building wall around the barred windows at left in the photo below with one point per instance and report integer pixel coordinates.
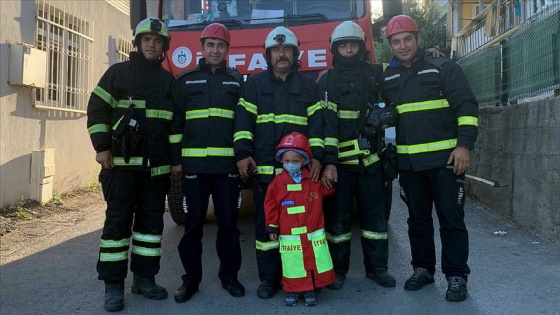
(23, 128)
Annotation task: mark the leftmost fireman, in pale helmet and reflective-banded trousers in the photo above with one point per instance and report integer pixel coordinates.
(129, 117)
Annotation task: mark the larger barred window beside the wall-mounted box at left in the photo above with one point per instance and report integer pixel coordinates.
(69, 46)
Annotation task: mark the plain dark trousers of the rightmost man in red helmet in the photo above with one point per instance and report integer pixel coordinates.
(440, 187)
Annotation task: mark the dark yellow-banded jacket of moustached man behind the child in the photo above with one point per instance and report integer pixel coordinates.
(269, 109)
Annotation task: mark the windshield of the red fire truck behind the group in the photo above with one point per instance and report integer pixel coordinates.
(255, 13)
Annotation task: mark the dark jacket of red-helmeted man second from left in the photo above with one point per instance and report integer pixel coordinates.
(205, 102)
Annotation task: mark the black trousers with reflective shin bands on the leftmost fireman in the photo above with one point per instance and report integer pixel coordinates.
(134, 200)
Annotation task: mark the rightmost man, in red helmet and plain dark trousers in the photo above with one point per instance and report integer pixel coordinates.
(436, 131)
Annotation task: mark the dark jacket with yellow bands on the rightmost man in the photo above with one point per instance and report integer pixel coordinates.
(437, 111)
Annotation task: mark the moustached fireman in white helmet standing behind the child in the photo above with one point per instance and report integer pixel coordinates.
(273, 103)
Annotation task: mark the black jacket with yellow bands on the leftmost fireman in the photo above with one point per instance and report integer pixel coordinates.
(149, 86)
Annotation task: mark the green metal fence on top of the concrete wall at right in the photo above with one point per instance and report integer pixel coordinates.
(527, 64)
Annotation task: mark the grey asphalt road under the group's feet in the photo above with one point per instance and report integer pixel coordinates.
(515, 273)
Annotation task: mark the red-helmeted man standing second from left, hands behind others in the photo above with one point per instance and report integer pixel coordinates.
(205, 98)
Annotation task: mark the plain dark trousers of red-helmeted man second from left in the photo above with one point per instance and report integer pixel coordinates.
(224, 189)
